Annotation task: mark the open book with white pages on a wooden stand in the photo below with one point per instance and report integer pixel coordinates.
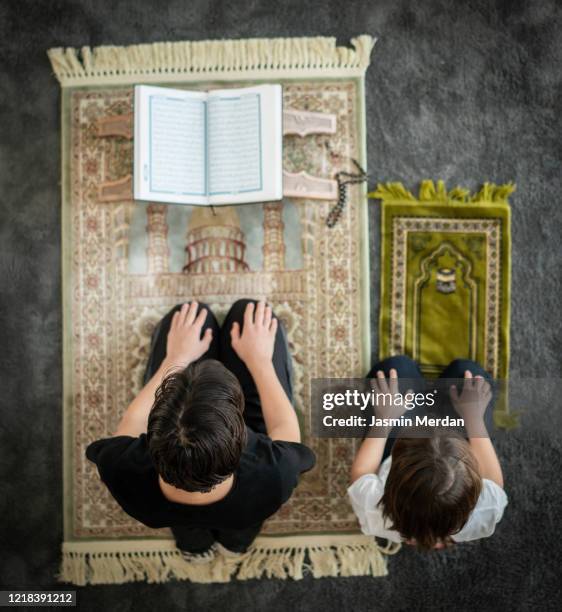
(208, 148)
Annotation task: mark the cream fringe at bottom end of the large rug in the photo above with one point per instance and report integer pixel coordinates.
(120, 561)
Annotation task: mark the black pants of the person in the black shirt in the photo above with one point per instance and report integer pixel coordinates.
(197, 540)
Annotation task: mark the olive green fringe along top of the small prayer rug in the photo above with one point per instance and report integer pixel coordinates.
(437, 192)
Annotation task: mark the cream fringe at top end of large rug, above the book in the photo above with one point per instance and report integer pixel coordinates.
(227, 59)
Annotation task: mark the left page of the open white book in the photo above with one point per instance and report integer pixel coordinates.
(170, 145)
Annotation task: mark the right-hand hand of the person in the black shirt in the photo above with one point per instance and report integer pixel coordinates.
(255, 345)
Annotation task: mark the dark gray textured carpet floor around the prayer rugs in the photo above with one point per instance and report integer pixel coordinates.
(464, 91)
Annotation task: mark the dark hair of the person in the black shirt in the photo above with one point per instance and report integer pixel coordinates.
(196, 432)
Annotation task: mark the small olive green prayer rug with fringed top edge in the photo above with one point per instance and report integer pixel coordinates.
(445, 278)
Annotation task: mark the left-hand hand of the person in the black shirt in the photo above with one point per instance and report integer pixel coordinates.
(184, 344)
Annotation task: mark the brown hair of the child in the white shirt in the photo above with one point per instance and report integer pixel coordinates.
(432, 487)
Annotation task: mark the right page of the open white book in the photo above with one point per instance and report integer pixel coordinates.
(245, 145)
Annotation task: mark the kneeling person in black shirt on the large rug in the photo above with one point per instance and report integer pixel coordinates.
(211, 445)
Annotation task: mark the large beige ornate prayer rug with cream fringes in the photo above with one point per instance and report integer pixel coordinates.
(125, 263)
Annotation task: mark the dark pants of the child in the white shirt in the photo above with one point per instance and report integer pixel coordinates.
(408, 370)
